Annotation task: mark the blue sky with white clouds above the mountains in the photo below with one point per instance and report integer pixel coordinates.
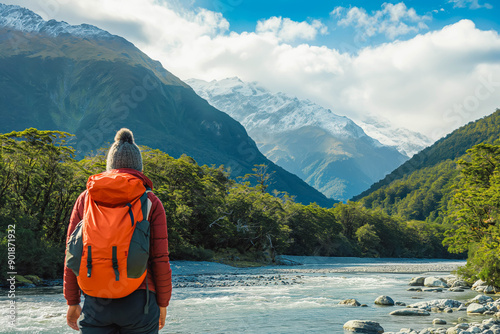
(427, 66)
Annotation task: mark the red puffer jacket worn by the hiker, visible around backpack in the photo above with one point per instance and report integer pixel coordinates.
(159, 272)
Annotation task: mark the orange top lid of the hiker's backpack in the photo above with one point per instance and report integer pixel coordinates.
(117, 186)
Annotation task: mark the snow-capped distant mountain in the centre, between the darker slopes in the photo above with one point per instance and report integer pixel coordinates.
(328, 151)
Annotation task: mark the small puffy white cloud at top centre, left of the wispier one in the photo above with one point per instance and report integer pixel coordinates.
(287, 30)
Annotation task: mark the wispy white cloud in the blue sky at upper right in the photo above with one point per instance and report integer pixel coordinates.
(393, 20)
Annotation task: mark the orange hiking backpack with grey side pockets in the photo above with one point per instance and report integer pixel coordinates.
(109, 249)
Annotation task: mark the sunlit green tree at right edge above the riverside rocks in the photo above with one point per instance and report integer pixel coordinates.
(475, 209)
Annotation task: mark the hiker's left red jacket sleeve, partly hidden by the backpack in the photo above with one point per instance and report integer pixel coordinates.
(71, 290)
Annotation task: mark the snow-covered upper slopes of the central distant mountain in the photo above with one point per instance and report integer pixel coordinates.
(257, 108)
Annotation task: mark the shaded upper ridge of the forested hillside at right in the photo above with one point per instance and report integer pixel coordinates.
(450, 147)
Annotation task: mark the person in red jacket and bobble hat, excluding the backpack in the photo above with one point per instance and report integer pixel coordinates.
(125, 315)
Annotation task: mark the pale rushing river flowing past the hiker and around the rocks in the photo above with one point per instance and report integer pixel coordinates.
(256, 301)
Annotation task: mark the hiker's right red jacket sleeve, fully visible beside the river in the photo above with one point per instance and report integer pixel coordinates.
(160, 264)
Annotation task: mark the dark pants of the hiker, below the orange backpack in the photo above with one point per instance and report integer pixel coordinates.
(120, 316)
